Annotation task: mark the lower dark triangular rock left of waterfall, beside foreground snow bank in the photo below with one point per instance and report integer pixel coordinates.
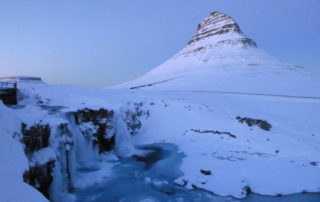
(40, 177)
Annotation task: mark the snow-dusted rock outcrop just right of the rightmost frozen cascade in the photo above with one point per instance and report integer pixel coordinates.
(132, 118)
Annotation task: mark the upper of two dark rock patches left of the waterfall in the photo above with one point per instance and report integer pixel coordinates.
(36, 137)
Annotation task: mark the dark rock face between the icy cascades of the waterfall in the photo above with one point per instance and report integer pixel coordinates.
(103, 133)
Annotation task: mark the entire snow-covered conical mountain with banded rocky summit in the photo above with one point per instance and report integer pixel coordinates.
(219, 57)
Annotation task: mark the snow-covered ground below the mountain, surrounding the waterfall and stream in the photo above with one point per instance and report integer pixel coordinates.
(222, 155)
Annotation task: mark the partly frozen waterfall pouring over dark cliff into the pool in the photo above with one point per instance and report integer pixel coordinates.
(75, 148)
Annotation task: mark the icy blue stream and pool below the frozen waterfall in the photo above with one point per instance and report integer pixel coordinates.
(150, 177)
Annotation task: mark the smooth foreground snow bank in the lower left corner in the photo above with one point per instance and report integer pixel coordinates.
(13, 162)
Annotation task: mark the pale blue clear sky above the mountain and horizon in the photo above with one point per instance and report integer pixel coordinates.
(105, 42)
